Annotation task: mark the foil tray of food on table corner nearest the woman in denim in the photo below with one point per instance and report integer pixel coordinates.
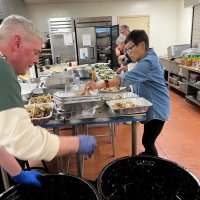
(129, 106)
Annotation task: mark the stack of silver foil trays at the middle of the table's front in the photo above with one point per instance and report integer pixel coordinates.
(70, 102)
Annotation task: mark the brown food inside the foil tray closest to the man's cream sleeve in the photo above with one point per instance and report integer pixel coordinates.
(38, 111)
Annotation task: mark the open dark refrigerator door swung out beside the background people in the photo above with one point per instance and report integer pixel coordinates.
(114, 36)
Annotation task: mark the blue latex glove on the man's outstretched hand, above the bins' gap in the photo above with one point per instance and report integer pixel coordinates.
(87, 145)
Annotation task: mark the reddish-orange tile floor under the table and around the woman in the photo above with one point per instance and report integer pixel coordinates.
(179, 141)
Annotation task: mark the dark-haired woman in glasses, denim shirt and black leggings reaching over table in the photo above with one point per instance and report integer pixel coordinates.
(147, 78)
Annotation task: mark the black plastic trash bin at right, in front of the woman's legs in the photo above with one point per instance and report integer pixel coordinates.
(147, 178)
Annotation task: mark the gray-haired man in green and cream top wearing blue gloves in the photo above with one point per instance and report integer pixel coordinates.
(20, 45)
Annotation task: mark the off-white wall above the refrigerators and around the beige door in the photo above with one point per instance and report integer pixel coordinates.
(166, 17)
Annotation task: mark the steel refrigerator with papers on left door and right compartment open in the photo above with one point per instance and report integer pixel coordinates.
(94, 39)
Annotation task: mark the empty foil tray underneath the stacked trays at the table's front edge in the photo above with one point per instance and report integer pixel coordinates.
(78, 114)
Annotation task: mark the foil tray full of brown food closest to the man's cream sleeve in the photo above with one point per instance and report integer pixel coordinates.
(40, 113)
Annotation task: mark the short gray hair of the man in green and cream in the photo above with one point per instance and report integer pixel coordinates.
(16, 23)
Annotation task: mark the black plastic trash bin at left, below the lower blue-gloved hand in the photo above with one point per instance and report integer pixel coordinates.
(54, 187)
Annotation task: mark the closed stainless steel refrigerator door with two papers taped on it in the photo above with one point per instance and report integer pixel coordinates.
(86, 45)
